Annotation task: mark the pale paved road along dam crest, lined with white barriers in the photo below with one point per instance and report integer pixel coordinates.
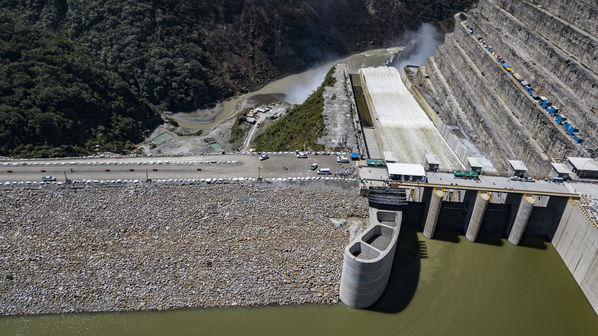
(218, 166)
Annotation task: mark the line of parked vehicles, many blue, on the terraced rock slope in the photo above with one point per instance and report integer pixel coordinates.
(544, 102)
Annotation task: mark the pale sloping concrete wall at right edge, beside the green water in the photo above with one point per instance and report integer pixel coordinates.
(576, 241)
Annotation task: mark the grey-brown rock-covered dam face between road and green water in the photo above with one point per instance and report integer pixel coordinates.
(147, 247)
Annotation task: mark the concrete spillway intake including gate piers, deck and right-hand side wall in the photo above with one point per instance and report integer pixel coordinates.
(562, 218)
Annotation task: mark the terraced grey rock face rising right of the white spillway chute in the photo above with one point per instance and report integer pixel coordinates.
(469, 88)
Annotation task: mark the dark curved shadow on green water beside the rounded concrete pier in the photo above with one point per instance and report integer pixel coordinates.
(405, 273)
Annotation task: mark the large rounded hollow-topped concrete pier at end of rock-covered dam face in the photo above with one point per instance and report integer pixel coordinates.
(368, 259)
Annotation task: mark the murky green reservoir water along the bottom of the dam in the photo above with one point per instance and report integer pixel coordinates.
(439, 287)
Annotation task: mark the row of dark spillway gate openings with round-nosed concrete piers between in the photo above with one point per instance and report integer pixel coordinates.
(474, 210)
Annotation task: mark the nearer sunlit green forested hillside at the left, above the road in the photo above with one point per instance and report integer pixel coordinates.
(55, 99)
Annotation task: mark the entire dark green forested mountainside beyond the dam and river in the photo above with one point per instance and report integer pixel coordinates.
(75, 74)
